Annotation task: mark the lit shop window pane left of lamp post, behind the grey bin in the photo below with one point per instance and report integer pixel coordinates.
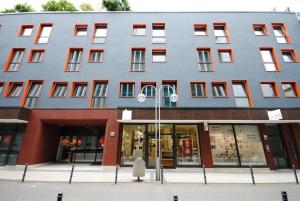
(132, 143)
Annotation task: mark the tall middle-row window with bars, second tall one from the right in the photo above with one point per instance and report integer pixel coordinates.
(205, 60)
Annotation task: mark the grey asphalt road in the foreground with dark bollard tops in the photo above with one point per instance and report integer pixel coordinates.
(37, 191)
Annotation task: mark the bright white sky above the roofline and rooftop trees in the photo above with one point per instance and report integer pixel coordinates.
(181, 5)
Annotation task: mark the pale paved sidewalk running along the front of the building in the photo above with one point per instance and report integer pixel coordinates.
(106, 174)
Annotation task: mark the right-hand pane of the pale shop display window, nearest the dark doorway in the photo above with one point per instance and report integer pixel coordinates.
(251, 151)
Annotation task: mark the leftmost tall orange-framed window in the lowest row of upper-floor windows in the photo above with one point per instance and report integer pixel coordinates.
(33, 94)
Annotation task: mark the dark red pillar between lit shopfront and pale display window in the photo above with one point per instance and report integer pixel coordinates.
(205, 148)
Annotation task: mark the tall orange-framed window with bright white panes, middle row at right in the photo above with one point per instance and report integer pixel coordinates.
(269, 59)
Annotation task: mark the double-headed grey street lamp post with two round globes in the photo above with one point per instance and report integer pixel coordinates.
(173, 98)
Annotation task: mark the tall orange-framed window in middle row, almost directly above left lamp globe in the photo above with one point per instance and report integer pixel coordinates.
(138, 60)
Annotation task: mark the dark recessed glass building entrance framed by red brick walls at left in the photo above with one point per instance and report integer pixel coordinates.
(81, 145)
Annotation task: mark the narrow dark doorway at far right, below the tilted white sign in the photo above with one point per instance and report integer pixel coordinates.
(277, 148)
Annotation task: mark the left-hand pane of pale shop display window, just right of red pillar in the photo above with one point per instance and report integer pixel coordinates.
(223, 145)
